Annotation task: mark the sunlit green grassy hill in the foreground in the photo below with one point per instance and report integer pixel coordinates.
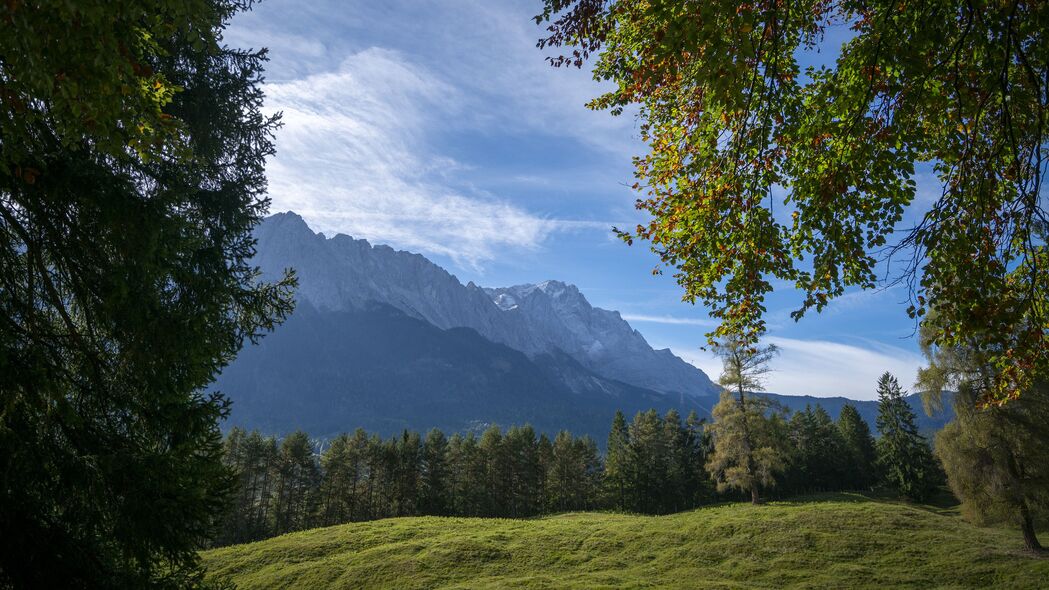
(837, 542)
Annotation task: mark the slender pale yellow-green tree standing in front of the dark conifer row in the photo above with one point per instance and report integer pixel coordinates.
(747, 454)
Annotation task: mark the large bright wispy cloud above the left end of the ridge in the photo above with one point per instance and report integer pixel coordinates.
(354, 158)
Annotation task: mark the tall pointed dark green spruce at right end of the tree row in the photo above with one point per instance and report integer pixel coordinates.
(904, 455)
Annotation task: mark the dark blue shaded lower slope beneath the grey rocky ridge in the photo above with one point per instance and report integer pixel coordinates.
(378, 369)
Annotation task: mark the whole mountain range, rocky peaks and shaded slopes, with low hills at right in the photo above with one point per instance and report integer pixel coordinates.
(388, 341)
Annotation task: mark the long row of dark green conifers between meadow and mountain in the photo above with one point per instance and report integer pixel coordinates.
(653, 465)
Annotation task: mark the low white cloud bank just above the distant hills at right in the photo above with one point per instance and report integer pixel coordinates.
(824, 369)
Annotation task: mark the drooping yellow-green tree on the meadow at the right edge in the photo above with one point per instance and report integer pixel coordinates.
(995, 457)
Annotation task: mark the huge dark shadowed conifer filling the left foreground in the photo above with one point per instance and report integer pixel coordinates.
(132, 176)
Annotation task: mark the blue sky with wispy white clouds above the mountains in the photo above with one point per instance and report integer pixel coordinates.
(438, 128)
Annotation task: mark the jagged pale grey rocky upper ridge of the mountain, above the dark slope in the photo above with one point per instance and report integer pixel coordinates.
(342, 273)
